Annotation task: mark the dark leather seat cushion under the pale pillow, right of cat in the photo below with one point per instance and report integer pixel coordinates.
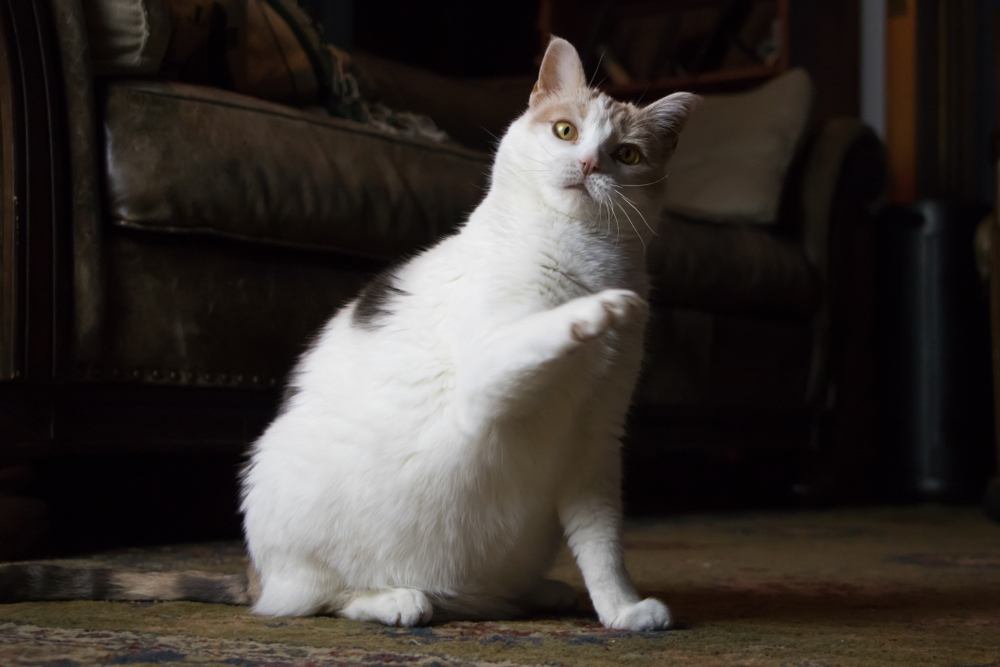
(731, 268)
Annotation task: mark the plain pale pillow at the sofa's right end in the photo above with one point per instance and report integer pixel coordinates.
(733, 155)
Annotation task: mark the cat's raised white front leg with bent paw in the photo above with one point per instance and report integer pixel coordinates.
(502, 373)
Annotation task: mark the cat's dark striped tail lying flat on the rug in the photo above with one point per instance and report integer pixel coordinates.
(23, 582)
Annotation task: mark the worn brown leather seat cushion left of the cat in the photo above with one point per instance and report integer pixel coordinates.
(188, 159)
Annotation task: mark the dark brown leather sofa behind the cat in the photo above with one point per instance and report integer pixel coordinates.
(169, 248)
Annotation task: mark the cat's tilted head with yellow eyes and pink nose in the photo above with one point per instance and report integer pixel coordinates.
(587, 155)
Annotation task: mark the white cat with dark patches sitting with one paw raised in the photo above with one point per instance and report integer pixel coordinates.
(463, 415)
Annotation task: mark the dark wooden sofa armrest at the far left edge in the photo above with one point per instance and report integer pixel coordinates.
(49, 175)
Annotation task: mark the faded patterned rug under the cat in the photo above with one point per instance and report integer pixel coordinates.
(897, 586)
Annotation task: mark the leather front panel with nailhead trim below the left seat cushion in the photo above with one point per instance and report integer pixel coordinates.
(195, 311)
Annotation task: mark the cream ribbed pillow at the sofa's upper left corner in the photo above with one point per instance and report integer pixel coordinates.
(127, 36)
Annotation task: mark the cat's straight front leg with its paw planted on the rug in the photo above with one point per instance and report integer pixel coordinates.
(590, 511)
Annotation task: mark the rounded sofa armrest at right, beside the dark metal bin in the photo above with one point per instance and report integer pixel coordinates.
(843, 183)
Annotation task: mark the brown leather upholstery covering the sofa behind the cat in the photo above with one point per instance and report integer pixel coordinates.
(212, 233)
